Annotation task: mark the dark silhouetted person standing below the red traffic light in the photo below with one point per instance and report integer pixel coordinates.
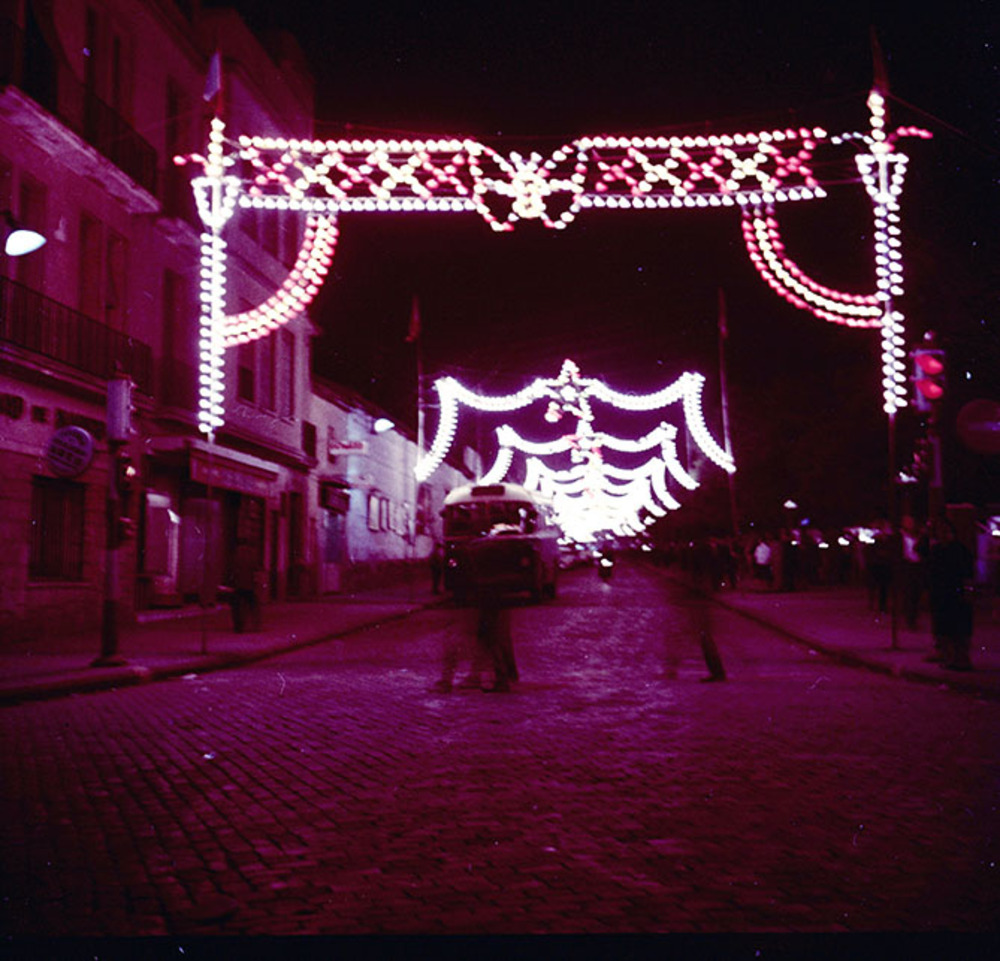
(950, 571)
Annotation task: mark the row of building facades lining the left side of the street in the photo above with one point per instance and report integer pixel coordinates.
(96, 100)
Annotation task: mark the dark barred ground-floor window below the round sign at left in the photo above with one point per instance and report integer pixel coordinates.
(56, 529)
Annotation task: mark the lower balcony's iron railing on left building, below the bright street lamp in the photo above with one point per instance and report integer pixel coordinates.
(43, 326)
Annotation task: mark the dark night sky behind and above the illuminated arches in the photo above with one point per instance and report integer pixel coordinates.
(632, 296)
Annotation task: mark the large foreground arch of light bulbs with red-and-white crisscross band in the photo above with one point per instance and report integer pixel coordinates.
(752, 171)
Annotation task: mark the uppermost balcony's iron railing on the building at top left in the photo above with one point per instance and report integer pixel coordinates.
(28, 63)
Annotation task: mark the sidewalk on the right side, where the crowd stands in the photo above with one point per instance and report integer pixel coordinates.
(837, 621)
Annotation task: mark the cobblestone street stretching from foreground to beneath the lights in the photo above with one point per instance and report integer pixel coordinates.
(330, 791)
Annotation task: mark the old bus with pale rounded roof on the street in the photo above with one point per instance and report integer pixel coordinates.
(499, 537)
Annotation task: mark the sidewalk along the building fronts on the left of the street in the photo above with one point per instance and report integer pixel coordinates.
(178, 643)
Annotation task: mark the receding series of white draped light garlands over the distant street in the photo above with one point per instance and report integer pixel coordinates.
(592, 494)
